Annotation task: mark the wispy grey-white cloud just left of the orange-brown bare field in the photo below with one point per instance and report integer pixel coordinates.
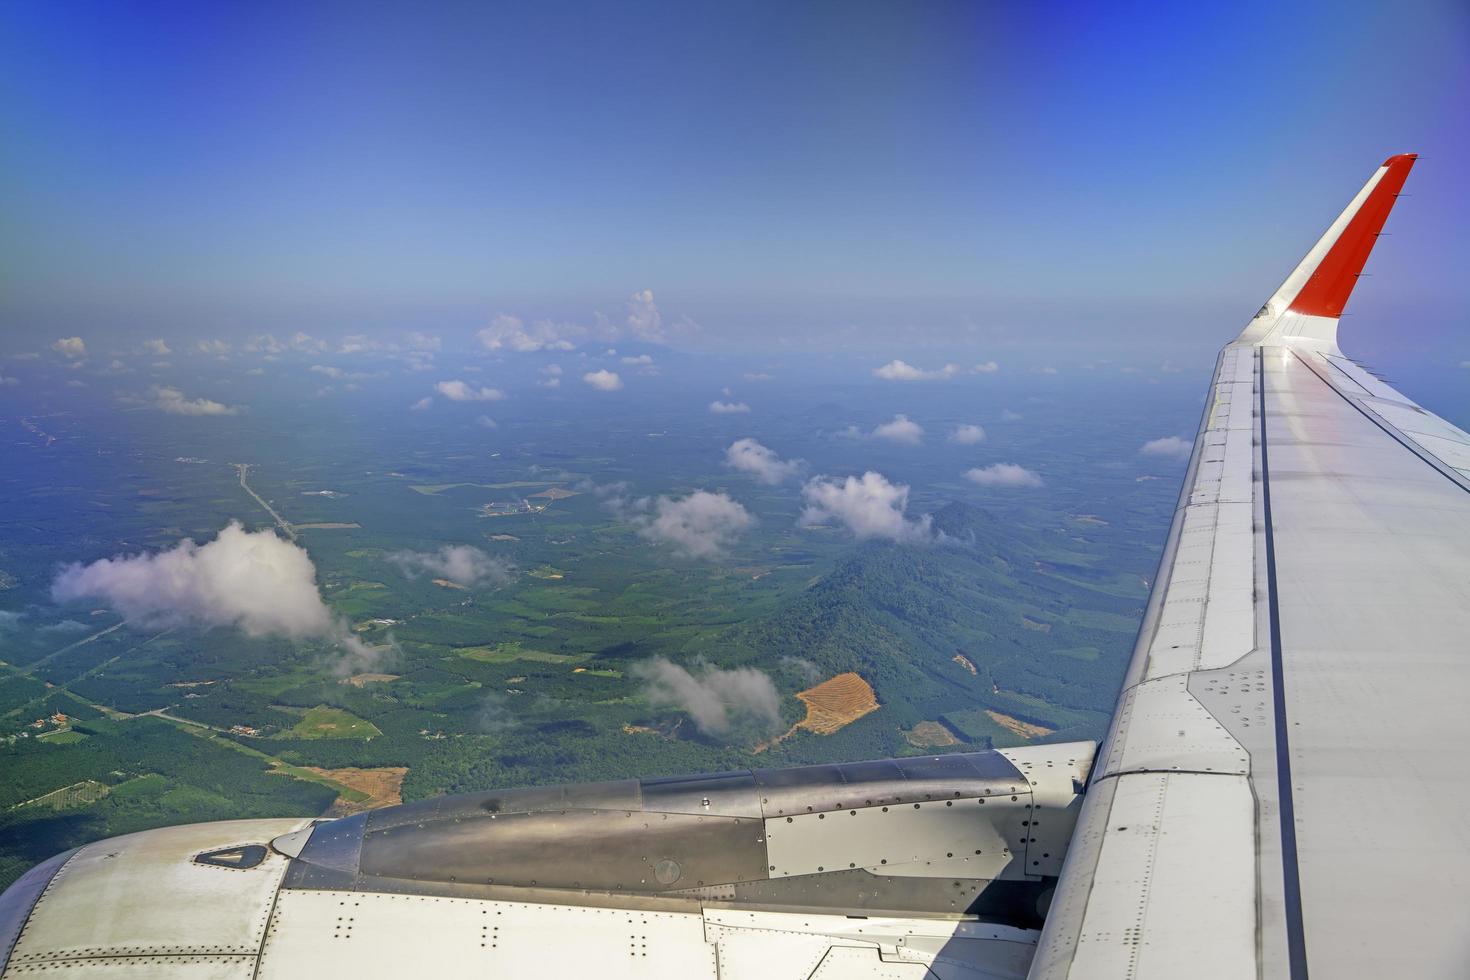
(718, 702)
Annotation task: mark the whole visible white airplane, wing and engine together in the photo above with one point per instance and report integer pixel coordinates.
(1280, 793)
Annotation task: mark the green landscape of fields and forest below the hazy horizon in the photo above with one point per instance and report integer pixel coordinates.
(1011, 621)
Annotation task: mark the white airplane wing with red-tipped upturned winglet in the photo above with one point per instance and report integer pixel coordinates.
(1283, 791)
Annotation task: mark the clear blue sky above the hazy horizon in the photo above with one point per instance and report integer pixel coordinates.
(899, 176)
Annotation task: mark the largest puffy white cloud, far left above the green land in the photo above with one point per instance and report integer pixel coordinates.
(252, 581)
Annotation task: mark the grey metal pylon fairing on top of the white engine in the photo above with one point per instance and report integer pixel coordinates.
(930, 835)
